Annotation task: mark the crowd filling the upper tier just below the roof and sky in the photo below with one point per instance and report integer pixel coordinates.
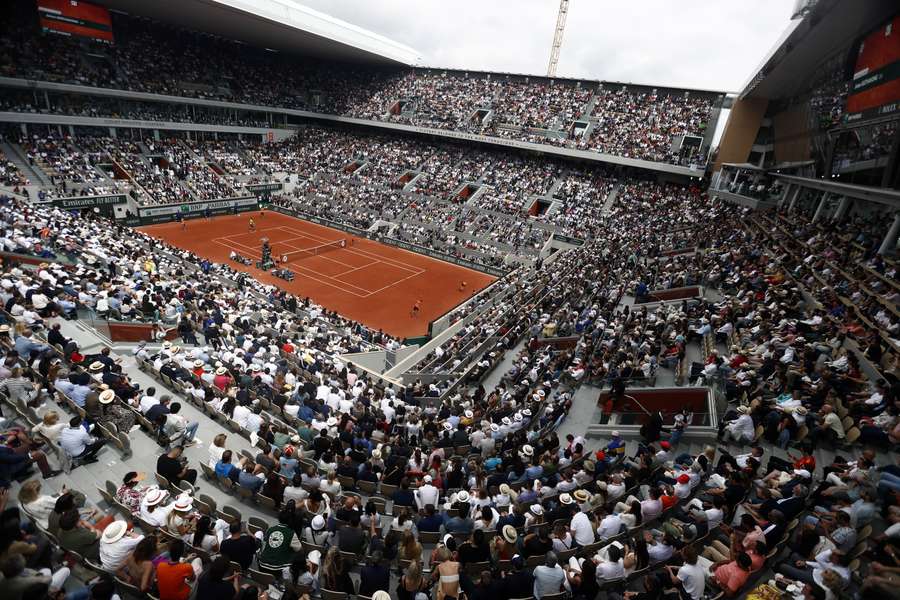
(627, 121)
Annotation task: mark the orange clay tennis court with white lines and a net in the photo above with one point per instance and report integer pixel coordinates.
(373, 283)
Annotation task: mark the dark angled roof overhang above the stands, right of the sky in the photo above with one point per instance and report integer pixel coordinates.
(827, 26)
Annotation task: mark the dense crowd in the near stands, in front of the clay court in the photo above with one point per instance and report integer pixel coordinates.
(521, 507)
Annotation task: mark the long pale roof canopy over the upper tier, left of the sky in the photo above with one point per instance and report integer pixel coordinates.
(280, 25)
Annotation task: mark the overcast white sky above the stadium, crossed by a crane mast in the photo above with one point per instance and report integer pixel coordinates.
(711, 44)
